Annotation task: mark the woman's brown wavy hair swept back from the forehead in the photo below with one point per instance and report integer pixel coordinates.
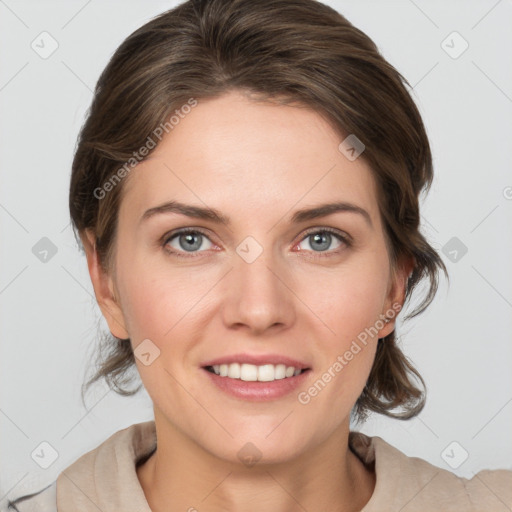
(291, 51)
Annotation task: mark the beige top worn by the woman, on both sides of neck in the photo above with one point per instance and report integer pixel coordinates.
(105, 479)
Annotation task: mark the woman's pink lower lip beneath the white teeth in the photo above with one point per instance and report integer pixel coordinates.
(257, 391)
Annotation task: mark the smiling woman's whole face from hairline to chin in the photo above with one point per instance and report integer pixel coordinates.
(265, 287)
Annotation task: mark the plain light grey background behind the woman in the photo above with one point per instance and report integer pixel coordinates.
(49, 317)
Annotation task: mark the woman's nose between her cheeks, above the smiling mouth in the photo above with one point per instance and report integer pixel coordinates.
(258, 295)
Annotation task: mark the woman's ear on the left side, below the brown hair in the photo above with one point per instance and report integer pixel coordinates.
(103, 285)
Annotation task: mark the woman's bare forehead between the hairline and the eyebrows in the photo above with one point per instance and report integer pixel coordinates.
(237, 154)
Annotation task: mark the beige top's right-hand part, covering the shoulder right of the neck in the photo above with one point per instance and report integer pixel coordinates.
(412, 484)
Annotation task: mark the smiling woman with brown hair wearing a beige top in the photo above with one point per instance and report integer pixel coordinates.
(226, 139)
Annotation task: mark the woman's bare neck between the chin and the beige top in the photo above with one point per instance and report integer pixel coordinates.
(181, 475)
